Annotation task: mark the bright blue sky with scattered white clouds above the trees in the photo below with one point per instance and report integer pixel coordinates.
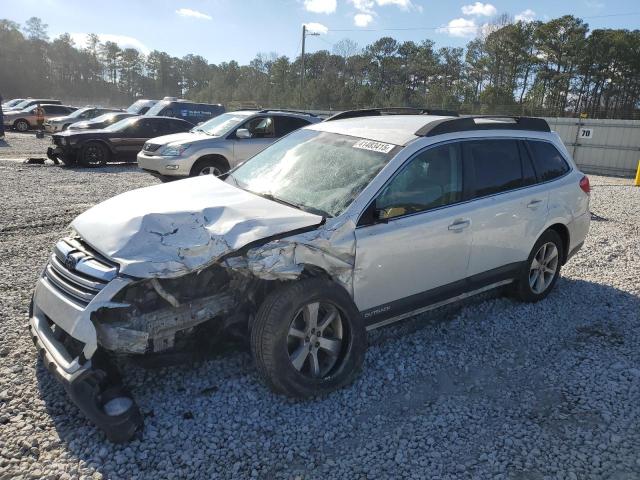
(223, 30)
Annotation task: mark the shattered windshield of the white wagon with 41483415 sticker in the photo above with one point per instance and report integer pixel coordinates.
(315, 171)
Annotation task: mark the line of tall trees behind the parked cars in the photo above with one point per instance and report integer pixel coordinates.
(556, 68)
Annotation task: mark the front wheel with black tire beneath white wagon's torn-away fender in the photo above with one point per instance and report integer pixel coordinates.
(284, 346)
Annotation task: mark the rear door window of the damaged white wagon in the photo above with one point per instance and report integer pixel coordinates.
(495, 165)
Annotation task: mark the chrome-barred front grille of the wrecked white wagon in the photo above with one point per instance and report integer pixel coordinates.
(77, 271)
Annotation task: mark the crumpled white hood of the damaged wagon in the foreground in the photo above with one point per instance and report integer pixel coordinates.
(171, 229)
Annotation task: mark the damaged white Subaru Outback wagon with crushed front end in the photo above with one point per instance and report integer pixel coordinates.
(338, 228)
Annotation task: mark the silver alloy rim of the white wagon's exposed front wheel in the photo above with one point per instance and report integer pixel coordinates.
(315, 339)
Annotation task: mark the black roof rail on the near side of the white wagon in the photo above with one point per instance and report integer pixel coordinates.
(497, 122)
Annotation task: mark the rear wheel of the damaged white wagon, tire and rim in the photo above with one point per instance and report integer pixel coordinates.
(542, 269)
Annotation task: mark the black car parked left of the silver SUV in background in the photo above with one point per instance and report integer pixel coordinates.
(118, 142)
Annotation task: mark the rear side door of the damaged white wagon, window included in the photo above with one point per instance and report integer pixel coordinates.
(509, 208)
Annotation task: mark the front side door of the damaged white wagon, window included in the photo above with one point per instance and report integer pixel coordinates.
(415, 249)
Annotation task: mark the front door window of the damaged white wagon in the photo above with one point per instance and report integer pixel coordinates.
(430, 180)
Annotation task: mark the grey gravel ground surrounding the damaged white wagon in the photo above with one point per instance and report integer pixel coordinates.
(494, 389)
